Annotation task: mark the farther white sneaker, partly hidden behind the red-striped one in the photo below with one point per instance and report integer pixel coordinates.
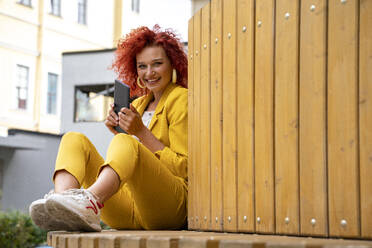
(42, 218)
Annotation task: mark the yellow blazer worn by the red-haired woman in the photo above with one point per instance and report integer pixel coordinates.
(169, 125)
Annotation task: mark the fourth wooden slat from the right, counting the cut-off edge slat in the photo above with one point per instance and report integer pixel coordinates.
(286, 117)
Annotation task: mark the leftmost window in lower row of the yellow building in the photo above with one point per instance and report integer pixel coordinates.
(22, 86)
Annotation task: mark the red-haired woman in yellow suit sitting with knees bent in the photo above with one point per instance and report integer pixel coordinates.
(142, 184)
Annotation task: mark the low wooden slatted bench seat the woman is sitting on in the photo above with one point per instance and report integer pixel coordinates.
(191, 239)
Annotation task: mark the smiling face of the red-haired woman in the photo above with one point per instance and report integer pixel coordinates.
(154, 69)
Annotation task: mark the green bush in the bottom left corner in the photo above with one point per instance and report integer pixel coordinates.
(18, 230)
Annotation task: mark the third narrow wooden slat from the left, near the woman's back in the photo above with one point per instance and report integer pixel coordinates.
(205, 119)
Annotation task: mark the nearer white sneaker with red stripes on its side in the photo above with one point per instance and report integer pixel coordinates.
(76, 207)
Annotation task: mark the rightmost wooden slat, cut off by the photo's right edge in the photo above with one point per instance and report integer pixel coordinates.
(365, 110)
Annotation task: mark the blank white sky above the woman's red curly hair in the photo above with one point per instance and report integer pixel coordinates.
(173, 14)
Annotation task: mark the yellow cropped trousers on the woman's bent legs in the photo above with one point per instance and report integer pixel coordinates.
(150, 196)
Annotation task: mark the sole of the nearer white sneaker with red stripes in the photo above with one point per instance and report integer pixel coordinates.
(68, 215)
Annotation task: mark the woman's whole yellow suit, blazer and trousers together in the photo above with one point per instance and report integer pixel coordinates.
(153, 194)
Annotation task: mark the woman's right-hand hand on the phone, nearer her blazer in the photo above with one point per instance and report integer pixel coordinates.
(131, 122)
